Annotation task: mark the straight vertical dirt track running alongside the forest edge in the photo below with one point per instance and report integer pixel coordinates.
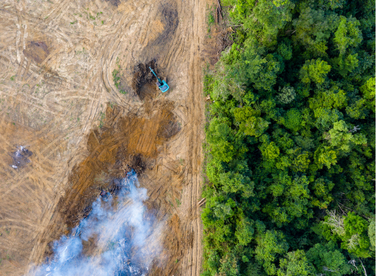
(193, 261)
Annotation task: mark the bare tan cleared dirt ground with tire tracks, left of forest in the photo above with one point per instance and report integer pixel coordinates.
(58, 98)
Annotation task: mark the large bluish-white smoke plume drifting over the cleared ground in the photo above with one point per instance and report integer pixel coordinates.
(126, 238)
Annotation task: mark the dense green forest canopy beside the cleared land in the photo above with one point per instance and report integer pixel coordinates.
(290, 141)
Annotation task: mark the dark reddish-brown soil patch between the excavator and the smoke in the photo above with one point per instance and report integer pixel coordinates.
(123, 142)
